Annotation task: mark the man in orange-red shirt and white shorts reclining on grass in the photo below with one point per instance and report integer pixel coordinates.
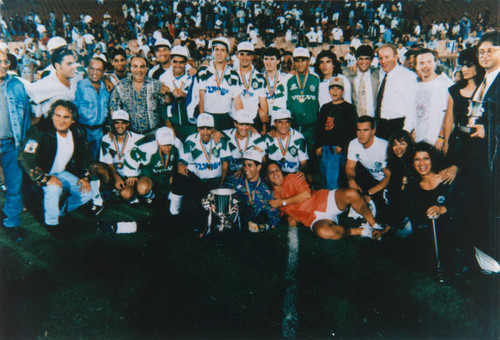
(318, 209)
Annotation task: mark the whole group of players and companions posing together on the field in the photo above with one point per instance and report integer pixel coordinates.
(390, 145)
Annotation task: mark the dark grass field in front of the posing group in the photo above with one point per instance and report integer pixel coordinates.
(163, 282)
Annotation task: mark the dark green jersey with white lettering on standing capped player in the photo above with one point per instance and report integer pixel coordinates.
(303, 100)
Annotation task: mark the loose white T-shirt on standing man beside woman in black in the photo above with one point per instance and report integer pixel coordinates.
(431, 101)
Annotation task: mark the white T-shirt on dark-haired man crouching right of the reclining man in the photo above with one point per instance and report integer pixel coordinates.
(373, 158)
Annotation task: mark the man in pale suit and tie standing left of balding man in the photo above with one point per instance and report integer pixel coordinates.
(364, 82)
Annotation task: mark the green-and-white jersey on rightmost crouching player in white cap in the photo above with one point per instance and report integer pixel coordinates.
(289, 152)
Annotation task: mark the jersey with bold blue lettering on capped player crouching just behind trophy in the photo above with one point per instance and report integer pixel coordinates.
(205, 159)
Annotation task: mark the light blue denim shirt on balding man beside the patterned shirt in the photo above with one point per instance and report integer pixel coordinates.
(92, 106)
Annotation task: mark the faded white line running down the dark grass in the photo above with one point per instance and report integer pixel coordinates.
(290, 318)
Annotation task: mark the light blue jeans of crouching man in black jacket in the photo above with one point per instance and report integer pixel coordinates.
(52, 195)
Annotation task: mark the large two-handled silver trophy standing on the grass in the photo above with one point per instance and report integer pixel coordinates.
(223, 209)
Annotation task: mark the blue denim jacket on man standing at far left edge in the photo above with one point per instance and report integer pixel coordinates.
(19, 109)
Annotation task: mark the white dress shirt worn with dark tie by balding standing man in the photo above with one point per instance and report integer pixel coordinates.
(399, 96)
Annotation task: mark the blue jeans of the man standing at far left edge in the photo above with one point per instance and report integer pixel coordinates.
(13, 177)
